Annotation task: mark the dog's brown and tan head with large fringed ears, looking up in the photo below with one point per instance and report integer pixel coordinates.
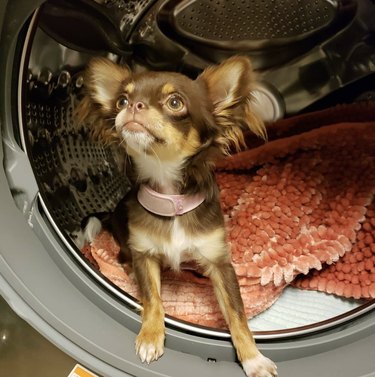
(167, 114)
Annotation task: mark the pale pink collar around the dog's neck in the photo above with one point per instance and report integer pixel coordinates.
(167, 205)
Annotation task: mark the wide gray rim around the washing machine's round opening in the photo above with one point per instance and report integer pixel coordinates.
(59, 297)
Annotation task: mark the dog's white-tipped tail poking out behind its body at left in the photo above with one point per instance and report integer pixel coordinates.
(91, 226)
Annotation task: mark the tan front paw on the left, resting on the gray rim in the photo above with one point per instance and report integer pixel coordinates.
(149, 345)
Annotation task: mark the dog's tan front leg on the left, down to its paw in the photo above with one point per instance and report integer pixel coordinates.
(150, 340)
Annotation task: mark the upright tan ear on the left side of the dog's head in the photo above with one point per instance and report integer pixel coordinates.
(103, 80)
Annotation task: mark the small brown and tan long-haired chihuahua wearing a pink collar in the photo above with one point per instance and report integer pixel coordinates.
(173, 129)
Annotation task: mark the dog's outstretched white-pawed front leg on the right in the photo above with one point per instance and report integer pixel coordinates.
(228, 294)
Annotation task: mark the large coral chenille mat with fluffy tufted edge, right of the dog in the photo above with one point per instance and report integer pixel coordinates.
(304, 204)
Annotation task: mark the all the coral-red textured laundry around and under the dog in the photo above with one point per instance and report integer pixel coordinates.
(299, 210)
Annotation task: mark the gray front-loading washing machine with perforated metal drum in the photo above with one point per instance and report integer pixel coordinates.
(309, 55)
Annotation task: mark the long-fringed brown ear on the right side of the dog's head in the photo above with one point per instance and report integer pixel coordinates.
(229, 87)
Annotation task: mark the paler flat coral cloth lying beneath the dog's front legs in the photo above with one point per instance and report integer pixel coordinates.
(185, 295)
